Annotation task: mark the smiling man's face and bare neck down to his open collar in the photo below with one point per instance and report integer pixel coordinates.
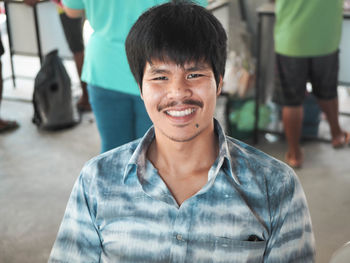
(180, 100)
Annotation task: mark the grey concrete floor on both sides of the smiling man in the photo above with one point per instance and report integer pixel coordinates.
(38, 169)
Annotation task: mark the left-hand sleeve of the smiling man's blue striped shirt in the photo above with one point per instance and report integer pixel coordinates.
(77, 239)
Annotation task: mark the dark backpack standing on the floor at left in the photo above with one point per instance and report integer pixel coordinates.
(52, 98)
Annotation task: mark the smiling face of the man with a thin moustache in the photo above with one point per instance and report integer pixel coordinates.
(180, 100)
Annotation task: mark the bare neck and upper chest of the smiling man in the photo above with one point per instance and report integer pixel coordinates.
(184, 166)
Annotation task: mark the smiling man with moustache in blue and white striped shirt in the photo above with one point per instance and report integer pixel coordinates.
(185, 192)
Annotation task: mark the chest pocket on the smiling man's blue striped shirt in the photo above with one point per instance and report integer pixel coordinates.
(229, 250)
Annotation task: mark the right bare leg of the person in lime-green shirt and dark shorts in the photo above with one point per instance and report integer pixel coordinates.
(331, 110)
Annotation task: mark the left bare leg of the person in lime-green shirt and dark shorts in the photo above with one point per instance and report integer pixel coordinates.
(292, 121)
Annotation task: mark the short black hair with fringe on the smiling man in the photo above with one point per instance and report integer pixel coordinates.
(180, 31)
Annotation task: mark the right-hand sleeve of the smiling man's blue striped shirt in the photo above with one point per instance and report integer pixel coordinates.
(291, 238)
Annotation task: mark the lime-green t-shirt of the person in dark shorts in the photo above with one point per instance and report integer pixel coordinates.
(308, 27)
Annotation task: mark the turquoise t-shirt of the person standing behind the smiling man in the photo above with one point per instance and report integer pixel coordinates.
(105, 62)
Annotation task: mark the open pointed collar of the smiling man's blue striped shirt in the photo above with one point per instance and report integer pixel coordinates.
(224, 161)
